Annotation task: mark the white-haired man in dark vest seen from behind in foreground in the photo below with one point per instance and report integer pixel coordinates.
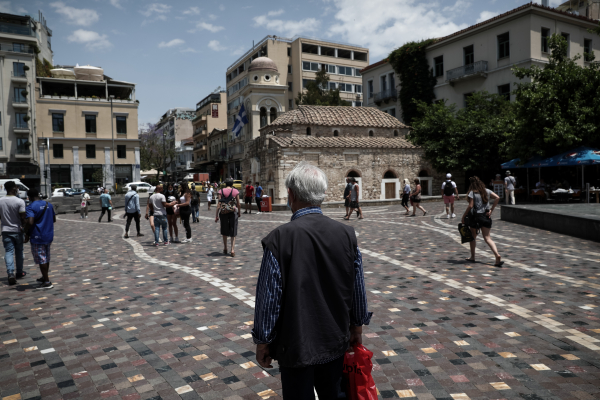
(310, 296)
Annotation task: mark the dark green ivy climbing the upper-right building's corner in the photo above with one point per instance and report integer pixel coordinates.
(417, 79)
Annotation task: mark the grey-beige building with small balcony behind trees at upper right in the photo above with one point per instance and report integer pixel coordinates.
(481, 57)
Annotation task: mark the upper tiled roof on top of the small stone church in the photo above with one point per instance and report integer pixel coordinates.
(338, 116)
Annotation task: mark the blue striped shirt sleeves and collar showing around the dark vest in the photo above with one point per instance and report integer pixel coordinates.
(269, 291)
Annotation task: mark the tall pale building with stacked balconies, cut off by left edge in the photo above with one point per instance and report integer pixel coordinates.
(22, 41)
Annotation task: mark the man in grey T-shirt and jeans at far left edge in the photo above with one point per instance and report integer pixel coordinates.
(12, 217)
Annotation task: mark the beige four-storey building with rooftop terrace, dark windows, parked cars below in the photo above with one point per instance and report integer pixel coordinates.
(80, 115)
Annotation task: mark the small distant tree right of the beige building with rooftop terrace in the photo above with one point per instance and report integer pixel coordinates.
(156, 151)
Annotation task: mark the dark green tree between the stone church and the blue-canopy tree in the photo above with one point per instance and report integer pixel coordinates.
(470, 139)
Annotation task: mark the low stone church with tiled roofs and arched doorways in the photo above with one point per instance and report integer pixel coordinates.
(359, 142)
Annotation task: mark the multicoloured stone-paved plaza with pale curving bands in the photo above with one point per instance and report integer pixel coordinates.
(127, 320)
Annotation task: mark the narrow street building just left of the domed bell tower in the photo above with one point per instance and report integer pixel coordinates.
(210, 114)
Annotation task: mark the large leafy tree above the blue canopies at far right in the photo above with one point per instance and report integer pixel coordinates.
(558, 108)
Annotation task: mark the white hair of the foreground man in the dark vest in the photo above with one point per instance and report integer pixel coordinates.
(308, 183)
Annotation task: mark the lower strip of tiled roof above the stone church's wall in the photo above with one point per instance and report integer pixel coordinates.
(346, 142)
